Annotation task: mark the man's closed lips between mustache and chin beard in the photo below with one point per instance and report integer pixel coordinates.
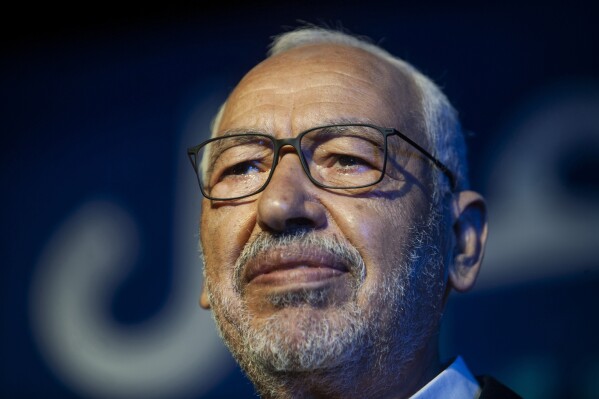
(292, 264)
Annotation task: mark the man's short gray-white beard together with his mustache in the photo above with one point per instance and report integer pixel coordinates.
(306, 335)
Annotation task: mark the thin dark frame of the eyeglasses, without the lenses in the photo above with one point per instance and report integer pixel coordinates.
(192, 153)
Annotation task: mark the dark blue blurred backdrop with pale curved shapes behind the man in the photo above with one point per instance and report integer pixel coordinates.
(100, 273)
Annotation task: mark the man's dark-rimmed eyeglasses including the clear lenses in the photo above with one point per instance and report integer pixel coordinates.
(343, 156)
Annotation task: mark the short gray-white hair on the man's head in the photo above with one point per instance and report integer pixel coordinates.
(440, 118)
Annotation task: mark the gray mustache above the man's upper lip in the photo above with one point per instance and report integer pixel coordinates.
(302, 239)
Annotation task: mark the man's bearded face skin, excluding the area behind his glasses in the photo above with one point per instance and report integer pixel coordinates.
(303, 278)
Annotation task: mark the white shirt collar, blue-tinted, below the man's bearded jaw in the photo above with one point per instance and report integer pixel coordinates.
(455, 382)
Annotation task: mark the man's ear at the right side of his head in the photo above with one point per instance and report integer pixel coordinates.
(470, 232)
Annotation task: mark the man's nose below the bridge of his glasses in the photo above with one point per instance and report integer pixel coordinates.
(290, 201)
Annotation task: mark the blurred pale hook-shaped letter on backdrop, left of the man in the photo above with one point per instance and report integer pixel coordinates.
(175, 354)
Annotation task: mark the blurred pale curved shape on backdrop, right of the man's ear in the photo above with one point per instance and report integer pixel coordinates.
(539, 227)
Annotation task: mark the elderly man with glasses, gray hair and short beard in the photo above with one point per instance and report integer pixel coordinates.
(336, 221)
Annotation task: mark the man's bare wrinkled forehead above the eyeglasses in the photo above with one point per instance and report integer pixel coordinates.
(319, 84)
